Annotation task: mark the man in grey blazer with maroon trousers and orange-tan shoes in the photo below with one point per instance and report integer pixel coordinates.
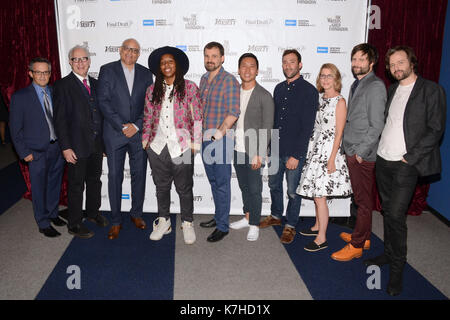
(365, 121)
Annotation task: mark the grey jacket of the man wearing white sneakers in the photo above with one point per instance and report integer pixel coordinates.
(259, 116)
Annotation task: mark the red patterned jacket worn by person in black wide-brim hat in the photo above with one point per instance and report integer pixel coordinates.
(187, 115)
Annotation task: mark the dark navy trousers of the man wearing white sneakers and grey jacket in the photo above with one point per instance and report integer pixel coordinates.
(250, 183)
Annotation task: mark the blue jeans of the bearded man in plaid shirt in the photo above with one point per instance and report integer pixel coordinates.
(217, 156)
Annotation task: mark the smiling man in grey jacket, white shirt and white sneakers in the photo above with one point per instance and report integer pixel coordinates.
(252, 140)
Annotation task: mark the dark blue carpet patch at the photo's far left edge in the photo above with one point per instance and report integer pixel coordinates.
(12, 186)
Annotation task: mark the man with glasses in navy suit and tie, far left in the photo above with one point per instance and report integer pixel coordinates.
(33, 135)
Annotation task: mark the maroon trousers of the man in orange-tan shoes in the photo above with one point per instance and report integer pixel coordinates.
(362, 177)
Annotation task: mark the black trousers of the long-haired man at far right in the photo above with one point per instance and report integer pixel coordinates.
(396, 183)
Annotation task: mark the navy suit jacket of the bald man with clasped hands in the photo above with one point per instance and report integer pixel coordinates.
(116, 103)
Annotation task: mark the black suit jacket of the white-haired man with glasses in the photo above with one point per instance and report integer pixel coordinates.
(74, 116)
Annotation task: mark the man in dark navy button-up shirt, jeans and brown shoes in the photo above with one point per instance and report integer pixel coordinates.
(296, 103)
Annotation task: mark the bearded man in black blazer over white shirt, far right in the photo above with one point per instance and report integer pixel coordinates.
(409, 148)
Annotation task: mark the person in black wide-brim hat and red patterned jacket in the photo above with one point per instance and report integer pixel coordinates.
(172, 132)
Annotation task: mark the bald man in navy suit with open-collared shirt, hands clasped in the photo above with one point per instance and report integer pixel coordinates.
(121, 95)
